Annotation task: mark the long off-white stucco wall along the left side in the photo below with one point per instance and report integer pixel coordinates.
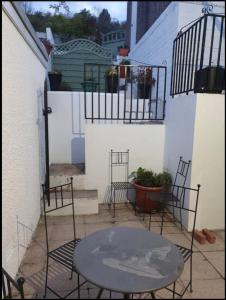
(23, 82)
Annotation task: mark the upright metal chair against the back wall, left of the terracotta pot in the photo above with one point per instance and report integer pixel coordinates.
(118, 160)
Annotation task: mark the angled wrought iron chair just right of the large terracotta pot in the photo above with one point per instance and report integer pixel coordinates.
(171, 194)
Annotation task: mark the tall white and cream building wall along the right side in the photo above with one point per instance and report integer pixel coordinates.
(186, 120)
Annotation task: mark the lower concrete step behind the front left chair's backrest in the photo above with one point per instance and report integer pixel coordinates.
(85, 203)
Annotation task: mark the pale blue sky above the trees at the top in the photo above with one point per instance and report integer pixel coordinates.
(117, 9)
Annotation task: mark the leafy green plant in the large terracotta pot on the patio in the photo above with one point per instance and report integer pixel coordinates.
(148, 178)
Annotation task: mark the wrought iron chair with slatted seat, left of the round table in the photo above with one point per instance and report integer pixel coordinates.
(64, 253)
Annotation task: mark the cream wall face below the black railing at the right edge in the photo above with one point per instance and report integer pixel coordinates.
(208, 161)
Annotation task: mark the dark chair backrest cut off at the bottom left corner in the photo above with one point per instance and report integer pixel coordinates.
(8, 283)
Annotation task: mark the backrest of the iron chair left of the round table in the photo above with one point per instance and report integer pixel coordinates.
(60, 196)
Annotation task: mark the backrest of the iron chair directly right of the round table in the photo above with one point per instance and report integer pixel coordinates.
(188, 203)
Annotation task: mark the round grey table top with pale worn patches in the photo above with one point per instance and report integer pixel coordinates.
(128, 260)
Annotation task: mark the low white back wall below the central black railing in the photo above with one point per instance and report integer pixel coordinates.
(145, 144)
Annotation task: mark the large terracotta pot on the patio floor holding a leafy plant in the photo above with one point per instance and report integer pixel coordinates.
(144, 203)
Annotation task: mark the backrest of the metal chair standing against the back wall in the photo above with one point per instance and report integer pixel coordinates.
(119, 159)
